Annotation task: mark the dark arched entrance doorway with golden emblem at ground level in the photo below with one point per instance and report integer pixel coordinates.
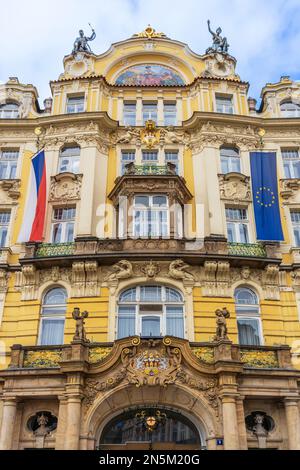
(150, 428)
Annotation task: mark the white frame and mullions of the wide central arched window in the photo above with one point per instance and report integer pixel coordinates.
(163, 304)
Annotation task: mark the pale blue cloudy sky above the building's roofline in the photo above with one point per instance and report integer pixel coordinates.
(264, 35)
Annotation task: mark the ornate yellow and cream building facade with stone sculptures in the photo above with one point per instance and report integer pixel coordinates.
(108, 323)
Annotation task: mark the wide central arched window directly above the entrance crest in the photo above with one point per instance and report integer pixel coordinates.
(150, 311)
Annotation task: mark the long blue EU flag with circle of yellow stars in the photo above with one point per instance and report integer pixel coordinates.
(265, 196)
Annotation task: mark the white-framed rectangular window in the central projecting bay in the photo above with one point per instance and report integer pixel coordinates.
(151, 216)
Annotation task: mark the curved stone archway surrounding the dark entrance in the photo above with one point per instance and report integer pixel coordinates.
(175, 397)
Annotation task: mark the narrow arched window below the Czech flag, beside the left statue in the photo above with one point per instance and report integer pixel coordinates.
(53, 317)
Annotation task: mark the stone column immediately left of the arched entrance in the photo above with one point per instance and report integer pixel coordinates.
(73, 422)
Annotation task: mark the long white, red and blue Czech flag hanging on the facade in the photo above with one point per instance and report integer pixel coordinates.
(35, 207)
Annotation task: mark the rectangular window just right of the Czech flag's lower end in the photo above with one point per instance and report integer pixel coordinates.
(63, 225)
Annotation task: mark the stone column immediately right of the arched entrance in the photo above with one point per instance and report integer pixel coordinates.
(230, 424)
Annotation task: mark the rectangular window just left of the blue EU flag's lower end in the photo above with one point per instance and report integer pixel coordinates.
(237, 225)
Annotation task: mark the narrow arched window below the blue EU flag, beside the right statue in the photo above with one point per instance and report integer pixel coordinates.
(248, 316)
